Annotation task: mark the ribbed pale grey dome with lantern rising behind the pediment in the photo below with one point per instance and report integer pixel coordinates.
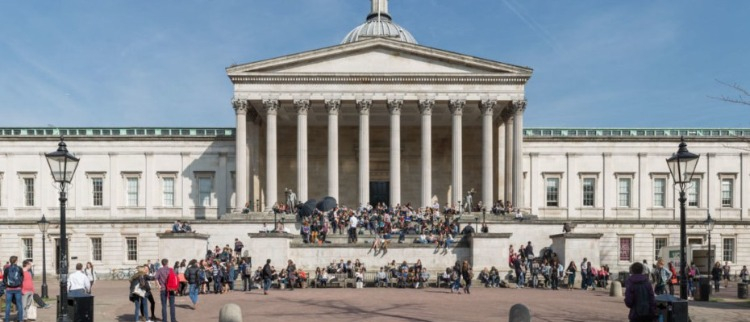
(379, 24)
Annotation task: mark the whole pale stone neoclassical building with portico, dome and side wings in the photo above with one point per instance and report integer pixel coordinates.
(377, 118)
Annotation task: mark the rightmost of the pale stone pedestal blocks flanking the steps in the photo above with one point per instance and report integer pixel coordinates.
(576, 247)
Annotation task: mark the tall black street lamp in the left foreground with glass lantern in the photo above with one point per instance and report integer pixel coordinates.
(63, 166)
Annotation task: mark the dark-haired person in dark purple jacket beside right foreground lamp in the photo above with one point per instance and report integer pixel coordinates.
(639, 296)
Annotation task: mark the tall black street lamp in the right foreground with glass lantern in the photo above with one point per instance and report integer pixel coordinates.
(682, 166)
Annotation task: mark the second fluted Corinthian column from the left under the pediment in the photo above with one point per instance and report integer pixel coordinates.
(271, 108)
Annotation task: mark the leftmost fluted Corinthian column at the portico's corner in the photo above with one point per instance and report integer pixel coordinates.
(240, 109)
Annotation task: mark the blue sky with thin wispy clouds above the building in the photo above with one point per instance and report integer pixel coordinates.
(597, 63)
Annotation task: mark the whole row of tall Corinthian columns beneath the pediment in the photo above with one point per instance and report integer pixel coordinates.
(511, 117)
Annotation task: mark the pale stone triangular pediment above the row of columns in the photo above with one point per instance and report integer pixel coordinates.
(378, 56)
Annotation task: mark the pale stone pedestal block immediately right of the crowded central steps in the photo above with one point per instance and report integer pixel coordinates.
(482, 245)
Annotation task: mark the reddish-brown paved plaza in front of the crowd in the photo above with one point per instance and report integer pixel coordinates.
(387, 304)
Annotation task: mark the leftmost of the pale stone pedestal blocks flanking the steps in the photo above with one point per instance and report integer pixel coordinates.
(174, 246)
